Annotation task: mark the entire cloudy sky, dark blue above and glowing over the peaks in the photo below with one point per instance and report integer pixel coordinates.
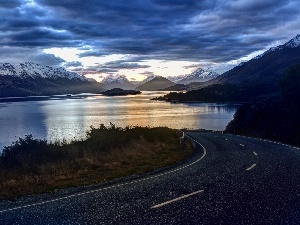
(138, 38)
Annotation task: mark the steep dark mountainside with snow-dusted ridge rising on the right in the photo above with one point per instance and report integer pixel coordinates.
(265, 69)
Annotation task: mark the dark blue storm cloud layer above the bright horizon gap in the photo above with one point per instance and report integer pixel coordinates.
(212, 30)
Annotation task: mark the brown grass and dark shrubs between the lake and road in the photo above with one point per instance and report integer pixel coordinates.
(32, 166)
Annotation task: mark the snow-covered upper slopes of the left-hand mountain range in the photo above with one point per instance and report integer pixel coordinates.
(32, 70)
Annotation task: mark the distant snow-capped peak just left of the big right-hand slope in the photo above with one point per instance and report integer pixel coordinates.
(198, 75)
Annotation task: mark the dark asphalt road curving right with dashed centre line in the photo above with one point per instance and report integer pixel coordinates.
(229, 180)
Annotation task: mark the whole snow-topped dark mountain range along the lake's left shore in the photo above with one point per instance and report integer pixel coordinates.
(30, 79)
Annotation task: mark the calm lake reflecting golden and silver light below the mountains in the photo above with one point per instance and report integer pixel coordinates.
(70, 118)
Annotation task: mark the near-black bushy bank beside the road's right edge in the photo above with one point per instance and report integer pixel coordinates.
(275, 118)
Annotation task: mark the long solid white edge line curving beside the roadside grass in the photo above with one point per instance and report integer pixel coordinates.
(110, 187)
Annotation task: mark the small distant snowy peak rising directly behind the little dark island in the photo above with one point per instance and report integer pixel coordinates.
(119, 81)
